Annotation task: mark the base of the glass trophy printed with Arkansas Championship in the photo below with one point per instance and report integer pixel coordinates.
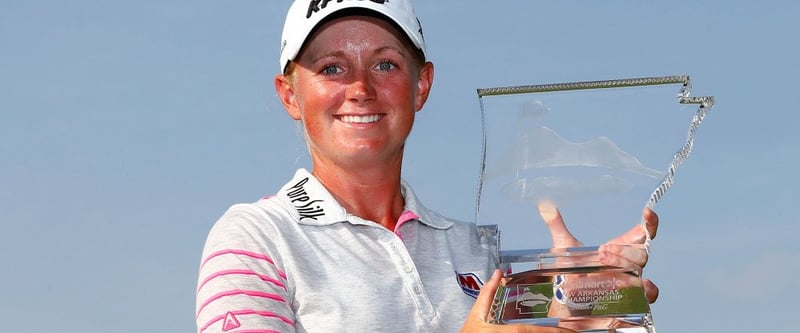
(570, 288)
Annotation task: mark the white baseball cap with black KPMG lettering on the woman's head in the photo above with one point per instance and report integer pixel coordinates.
(305, 15)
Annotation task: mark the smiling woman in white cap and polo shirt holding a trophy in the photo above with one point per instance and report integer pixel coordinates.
(347, 247)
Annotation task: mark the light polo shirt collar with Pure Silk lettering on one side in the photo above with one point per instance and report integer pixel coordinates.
(312, 204)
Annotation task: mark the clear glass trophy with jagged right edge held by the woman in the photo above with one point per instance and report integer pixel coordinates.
(598, 153)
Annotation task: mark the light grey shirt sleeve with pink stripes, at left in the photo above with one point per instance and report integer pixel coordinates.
(241, 286)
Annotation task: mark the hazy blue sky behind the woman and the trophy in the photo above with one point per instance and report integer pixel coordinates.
(127, 129)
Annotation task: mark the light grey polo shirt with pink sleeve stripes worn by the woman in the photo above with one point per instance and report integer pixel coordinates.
(298, 262)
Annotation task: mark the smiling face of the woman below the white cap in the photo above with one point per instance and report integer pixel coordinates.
(356, 88)
